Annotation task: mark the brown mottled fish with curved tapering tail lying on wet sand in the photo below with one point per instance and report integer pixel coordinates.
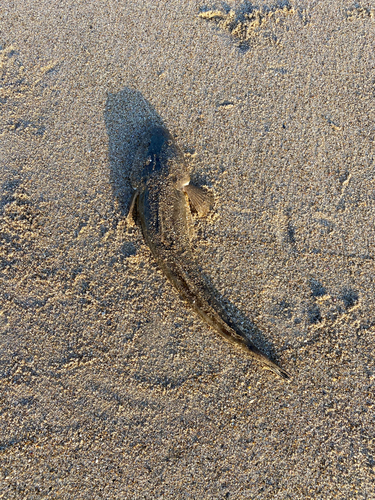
(161, 205)
